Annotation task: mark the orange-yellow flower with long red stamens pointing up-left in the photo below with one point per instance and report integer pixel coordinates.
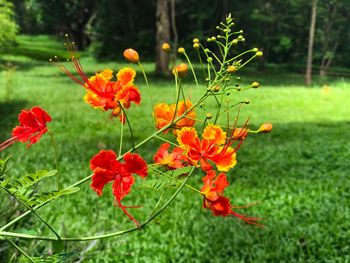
(102, 92)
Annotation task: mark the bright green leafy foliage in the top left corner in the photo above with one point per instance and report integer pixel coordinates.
(8, 26)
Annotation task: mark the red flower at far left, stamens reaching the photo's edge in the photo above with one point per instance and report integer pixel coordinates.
(32, 125)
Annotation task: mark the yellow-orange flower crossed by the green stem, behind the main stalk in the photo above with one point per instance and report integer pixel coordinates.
(164, 115)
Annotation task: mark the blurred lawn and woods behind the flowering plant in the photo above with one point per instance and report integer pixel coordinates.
(298, 174)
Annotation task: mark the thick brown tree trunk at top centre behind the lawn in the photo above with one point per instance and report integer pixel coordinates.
(162, 35)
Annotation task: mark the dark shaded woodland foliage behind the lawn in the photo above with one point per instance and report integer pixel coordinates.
(279, 27)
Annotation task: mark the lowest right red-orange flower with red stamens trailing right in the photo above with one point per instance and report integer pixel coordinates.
(214, 200)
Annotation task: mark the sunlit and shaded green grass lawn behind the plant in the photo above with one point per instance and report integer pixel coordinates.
(299, 173)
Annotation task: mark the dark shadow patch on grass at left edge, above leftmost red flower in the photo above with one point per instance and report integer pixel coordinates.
(9, 111)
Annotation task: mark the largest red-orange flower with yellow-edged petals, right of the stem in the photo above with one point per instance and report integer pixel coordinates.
(214, 146)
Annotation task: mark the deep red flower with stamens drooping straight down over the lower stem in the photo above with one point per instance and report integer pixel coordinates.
(106, 169)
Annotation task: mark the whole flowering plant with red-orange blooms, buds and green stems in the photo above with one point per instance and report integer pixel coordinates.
(191, 143)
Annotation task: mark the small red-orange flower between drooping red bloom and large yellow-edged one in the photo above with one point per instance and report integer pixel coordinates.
(170, 160)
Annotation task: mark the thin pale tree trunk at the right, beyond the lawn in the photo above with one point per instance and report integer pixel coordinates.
(308, 72)
